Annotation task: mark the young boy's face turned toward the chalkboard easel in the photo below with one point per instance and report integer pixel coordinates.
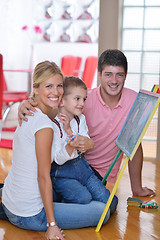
(74, 101)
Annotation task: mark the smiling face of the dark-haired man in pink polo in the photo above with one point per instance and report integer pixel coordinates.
(112, 81)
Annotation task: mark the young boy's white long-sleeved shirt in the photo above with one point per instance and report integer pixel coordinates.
(60, 154)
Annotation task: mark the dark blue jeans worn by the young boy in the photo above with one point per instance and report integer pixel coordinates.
(76, 182)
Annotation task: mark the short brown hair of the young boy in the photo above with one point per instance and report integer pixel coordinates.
(70, 82)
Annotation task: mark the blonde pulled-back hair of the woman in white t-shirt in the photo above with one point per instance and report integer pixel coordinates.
(42, 72)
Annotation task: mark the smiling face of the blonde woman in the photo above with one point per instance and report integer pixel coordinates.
(49, 93)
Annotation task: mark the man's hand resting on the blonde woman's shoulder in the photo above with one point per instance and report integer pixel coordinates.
(25, 108)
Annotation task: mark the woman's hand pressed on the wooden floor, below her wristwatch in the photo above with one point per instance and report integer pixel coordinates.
(54, 233)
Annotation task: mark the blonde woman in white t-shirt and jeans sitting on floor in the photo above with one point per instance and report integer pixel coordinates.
(27, 193)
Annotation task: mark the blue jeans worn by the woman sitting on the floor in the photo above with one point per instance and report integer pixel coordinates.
(67, 216)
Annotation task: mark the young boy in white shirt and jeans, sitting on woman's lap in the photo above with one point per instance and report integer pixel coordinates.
(72, 177)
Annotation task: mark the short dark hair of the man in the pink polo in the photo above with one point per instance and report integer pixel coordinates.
(113, 57)
